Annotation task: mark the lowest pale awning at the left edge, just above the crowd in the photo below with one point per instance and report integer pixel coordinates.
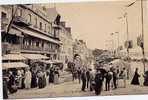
(14, 65)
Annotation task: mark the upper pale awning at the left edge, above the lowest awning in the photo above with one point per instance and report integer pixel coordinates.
(13, 57)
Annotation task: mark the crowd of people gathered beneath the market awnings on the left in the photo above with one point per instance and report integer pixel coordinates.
(27, 78)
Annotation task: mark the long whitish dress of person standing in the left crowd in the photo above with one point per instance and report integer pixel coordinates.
(27, 80)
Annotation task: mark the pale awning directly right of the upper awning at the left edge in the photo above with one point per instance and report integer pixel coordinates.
(34, 56)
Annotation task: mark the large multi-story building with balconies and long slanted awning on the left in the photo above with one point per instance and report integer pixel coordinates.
(31, 29)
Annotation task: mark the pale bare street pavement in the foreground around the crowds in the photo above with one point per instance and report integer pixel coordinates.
(69, 88)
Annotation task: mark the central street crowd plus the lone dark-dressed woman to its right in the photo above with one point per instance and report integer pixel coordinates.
(109, 78)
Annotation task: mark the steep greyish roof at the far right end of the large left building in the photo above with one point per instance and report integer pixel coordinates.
(52, 14)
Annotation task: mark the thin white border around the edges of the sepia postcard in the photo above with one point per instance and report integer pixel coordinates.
(125, 97)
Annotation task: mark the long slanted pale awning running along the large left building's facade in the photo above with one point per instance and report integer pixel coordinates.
(38, 35)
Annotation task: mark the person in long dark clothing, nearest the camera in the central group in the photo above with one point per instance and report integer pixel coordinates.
(98, 82)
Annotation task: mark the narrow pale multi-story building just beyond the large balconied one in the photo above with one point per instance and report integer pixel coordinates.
(66, 53)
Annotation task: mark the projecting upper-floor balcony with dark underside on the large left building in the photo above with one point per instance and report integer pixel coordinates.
(19, 20)
